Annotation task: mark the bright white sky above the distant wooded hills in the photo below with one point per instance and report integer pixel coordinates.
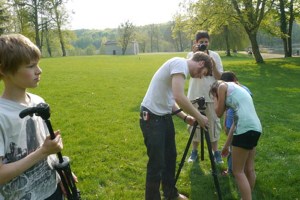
(101, 14)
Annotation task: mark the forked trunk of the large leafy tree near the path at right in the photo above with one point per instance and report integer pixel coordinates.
(250, 13)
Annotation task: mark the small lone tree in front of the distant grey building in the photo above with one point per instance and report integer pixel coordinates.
(126, 35)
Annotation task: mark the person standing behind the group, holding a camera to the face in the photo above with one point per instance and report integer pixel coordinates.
(200, 88)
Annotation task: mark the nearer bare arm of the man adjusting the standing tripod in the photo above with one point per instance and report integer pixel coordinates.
(178, 83)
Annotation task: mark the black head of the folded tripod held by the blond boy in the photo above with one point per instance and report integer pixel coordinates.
(42, 110)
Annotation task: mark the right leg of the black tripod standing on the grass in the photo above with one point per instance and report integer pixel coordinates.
(213, 165)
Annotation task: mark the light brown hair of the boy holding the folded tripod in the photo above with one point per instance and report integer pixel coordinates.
(16, 50)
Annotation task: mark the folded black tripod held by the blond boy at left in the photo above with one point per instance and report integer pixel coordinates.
(62, 167)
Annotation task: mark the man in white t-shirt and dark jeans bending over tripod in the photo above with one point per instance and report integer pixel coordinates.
(165, 95)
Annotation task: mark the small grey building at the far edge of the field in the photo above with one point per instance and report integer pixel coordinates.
(112, 48)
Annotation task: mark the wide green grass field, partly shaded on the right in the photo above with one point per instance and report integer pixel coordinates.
(95, 103)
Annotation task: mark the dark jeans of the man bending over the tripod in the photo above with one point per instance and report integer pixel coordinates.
(159, 138)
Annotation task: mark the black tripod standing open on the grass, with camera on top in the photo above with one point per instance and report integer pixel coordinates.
(201, 107)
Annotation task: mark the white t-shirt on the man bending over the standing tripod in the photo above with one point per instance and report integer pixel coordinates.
(159, 97)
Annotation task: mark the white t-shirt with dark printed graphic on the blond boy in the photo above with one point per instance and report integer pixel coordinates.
(18, 138)
